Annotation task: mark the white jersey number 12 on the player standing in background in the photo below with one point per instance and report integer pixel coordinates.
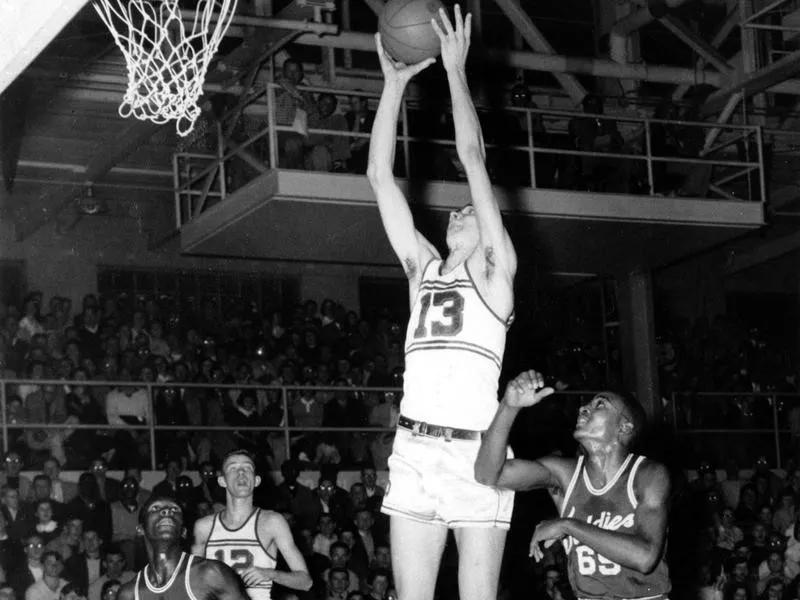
(241, 549)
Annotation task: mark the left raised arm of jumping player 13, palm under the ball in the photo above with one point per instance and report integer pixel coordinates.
(409, 245)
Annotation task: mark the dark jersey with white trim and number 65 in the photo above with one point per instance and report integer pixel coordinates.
(613, 507)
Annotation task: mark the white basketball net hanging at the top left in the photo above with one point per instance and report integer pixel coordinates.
(167, 62)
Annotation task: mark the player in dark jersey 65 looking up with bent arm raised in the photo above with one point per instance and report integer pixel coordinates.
(613, 504)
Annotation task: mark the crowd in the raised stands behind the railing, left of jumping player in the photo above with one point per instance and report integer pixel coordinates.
(186, 363)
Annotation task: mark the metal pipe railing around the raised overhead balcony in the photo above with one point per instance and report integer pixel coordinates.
(533, 147)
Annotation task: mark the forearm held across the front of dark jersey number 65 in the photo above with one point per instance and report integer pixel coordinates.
(626, 549)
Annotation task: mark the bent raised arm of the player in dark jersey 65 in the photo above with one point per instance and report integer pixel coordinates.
(493, 468)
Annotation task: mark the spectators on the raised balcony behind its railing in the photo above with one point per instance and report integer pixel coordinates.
(506, 132)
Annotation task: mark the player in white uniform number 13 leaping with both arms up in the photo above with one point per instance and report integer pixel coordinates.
(460, 309)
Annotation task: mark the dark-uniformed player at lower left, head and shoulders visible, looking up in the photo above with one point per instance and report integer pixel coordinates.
(172, 574)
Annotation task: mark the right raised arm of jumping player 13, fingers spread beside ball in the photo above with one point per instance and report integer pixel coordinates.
(497, 248)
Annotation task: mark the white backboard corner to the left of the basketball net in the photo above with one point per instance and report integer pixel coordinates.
(26, 28)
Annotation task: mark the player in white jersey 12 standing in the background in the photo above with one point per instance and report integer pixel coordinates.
(248, 538)
